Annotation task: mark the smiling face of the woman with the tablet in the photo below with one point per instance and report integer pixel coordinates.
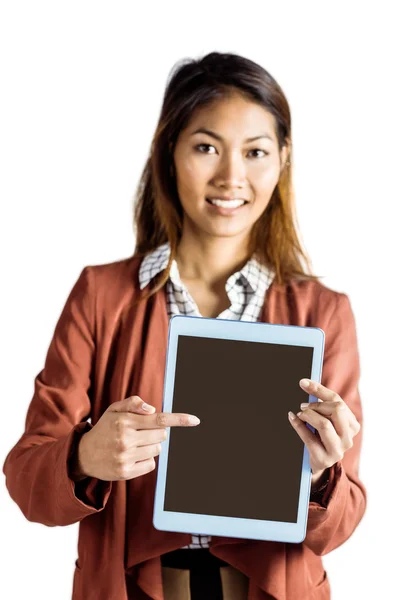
(222, 162)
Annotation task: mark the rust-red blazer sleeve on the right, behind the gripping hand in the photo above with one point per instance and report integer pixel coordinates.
(331, 522)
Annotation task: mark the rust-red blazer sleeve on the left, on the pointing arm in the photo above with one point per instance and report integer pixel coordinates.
(37, 468)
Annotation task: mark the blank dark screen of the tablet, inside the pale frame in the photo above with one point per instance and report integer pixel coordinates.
(244, 459)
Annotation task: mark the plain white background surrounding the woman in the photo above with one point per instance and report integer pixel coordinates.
(81, 89)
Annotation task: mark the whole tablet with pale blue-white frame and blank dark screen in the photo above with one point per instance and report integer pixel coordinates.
(243, 472)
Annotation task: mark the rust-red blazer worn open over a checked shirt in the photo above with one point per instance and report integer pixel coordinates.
(105, 349)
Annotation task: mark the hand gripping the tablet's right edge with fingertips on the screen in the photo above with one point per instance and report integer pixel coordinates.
(332, 419)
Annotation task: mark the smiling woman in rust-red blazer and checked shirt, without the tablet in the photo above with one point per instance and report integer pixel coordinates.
(215, 237)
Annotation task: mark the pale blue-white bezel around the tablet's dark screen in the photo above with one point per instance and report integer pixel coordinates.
(257, 331)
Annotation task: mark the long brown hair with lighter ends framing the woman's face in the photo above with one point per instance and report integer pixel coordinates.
(158, 213)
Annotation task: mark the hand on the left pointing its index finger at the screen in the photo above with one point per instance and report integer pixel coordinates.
(123, 443)
